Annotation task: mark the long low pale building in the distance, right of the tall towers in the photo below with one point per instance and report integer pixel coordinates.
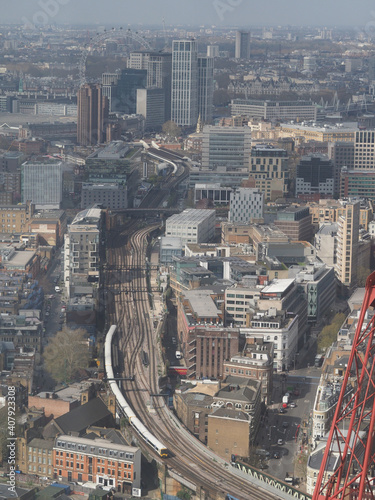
(274, 110)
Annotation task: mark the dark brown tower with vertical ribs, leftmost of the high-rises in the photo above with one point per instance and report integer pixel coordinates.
(92, 115)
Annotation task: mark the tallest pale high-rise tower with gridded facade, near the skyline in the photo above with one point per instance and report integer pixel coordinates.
(184, 100)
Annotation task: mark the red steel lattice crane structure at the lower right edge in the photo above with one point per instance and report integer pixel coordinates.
(348, 465)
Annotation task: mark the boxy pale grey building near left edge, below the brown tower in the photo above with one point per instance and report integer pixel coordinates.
(41, 183)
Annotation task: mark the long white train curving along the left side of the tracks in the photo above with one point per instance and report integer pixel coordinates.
(121, 401)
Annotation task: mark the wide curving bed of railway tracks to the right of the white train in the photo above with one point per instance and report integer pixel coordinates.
(129, 310)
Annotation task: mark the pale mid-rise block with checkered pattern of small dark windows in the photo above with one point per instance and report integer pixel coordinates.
(246, 205)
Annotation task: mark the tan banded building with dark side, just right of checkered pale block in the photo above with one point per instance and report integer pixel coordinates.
(295, 222)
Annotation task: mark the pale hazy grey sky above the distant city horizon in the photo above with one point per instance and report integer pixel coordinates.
(196, 12)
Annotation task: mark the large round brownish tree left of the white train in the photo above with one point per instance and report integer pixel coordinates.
(66, 353)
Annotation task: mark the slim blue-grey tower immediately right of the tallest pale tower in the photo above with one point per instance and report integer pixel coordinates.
(205, 88)
